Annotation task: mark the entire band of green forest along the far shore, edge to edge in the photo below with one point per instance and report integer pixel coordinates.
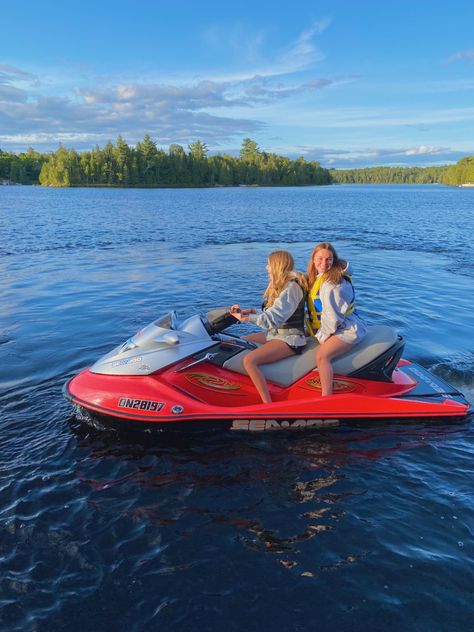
(147, 165)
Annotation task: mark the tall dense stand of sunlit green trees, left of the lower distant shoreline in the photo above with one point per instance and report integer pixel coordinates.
(146, 165)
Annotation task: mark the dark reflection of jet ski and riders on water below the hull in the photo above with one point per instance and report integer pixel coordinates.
(305, 481)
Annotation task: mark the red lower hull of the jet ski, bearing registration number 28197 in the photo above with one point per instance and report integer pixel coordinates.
(209, 397)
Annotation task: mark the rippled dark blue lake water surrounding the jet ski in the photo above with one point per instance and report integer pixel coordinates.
(366, 527)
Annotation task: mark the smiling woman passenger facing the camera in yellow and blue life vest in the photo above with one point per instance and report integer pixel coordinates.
(332, 315)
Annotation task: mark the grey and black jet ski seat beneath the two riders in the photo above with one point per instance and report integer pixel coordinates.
(379, 339)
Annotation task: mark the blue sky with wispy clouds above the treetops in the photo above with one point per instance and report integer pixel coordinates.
(350, 84)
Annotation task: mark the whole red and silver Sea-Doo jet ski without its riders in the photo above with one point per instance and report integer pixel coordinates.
(189, 376)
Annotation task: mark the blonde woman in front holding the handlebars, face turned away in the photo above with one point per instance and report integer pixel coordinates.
(282, 317)
